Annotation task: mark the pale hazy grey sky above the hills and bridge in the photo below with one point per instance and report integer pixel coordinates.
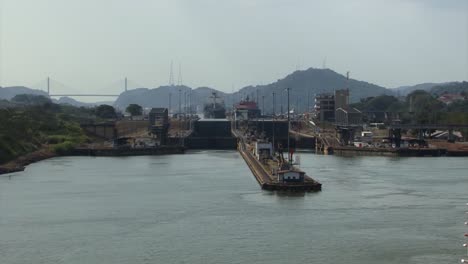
(91, 44)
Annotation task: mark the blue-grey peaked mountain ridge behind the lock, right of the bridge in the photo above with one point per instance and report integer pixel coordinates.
(302, 83)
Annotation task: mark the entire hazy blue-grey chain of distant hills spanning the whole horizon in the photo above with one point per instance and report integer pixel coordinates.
(304, 84)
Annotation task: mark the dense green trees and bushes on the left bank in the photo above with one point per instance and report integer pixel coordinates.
(40, 124)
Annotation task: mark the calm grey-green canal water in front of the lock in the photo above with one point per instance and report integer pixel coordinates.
(206, 207)
